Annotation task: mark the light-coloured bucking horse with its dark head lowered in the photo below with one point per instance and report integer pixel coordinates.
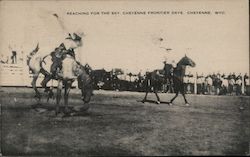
(71, 70)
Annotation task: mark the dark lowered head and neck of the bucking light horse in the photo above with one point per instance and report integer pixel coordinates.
(85, 84)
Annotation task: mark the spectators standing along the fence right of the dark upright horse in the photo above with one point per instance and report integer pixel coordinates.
(218, 84)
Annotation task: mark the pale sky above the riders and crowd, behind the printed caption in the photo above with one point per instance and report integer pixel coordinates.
(217, 43)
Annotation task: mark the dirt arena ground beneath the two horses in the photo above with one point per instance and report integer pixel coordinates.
(117, 123)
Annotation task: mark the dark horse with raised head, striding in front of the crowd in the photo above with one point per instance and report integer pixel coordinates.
(177, 78)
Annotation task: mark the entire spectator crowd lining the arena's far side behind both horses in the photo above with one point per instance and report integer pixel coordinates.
(116, 79)
